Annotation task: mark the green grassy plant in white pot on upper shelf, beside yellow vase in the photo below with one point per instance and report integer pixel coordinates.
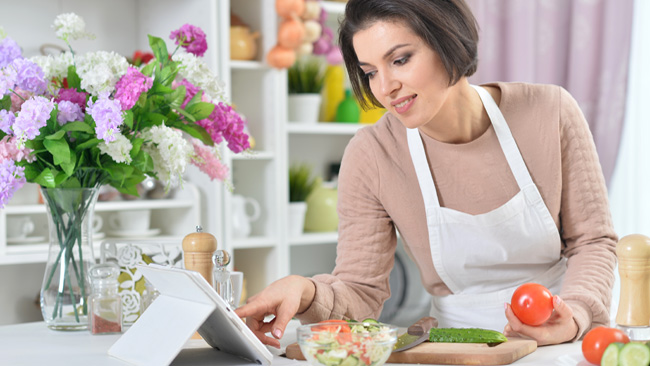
(306, 78)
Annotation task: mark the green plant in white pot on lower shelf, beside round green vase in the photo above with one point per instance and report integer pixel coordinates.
(301, 184)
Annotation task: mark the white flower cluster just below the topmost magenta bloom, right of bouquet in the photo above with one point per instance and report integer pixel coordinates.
(198, 73)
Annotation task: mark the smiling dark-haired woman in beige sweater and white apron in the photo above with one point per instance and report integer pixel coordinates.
(490, 187)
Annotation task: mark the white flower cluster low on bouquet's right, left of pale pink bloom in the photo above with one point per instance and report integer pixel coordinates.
(169, 151)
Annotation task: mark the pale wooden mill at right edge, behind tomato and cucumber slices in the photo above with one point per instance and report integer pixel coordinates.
(633, 314)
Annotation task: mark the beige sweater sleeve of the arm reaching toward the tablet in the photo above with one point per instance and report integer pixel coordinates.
(359, 284)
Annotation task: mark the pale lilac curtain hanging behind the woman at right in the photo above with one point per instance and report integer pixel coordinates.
(581, 45)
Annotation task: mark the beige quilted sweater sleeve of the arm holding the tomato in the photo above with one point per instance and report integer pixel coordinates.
(586, 224)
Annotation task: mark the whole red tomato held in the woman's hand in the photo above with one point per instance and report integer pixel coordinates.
(532, 303)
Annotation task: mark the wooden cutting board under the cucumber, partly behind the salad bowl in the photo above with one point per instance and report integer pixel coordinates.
(453, 353)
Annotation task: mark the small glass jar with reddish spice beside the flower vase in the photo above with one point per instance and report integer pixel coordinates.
(105, 303)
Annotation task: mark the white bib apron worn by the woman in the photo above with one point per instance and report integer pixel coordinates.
(484, 258)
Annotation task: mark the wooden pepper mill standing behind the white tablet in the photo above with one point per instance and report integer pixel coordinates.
(198, 249)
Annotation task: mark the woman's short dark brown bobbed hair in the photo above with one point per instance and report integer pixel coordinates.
(447, 26)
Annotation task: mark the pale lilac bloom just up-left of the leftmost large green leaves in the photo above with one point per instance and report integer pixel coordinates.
(33, 115)
